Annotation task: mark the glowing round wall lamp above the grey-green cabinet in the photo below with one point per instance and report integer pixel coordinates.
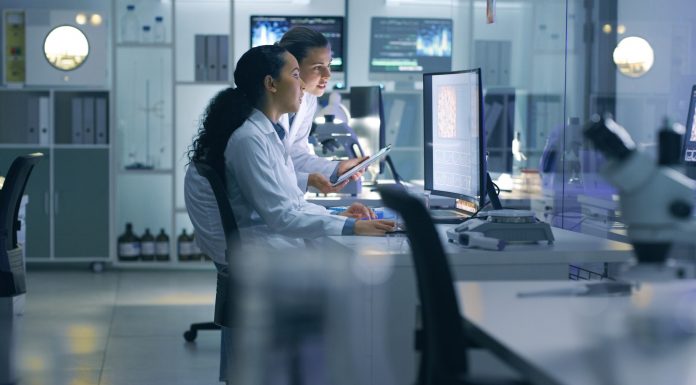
(66, 48)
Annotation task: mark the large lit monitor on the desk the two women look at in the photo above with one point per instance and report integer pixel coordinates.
(454, 137)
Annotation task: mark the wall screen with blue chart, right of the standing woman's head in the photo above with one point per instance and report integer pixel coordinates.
(401, 49)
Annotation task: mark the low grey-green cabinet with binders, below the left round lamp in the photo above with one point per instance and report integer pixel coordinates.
(69, 194)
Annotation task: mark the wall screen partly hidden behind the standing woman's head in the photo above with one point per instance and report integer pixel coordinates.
(269, 29)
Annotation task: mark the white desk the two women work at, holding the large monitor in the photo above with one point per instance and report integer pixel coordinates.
(389, 299)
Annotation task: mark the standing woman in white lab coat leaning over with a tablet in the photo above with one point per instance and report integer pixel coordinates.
(313, 53)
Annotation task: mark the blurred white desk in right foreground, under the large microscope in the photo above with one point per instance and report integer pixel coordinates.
(582, 340)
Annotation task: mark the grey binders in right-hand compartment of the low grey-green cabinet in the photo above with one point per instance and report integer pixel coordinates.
(89, 120)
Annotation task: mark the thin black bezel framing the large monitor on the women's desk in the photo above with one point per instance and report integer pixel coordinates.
(428, 140)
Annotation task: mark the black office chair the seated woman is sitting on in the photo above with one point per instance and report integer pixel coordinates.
(229, 226)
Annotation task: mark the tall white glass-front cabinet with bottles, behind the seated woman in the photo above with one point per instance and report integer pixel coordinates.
(158, 105)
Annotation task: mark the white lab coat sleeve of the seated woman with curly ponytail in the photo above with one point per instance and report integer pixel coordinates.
(257, 171)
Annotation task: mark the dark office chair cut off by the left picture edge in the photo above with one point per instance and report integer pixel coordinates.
(12, 275)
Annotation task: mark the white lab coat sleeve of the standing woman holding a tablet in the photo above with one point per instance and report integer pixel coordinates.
(303, 159)
